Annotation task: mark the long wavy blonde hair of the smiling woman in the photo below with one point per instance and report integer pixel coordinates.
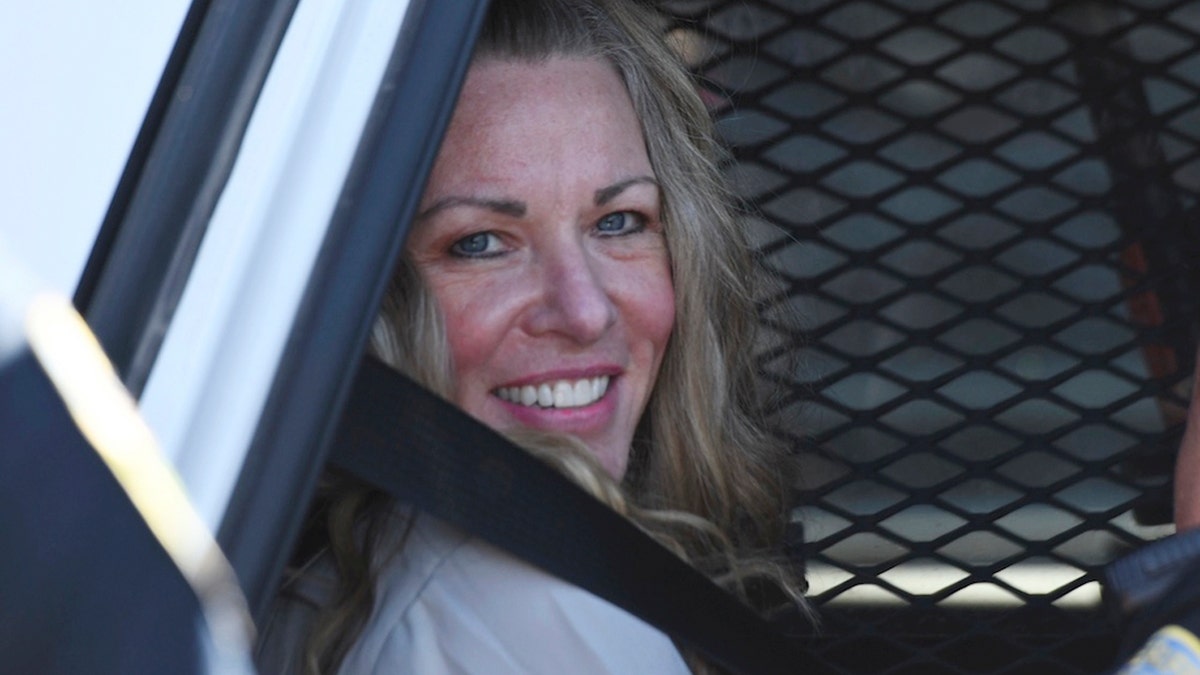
(705, 477)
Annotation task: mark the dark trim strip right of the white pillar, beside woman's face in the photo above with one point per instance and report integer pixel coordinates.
(344, 294)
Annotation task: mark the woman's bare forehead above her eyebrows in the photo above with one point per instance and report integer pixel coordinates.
(566, 117)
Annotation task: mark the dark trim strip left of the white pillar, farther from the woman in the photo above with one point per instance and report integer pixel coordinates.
(181, 162)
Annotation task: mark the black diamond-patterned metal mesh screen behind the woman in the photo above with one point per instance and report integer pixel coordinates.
(981, 213)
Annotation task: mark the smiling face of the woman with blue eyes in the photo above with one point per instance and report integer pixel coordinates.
(539, 237)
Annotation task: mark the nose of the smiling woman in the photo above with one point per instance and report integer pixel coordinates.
(574, 297)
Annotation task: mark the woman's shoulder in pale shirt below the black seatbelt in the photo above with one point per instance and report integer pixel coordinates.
(451, 604)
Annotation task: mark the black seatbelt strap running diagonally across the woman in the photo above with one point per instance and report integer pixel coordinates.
(428, 453)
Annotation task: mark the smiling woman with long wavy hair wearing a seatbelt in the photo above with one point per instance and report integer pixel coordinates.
(575, 278)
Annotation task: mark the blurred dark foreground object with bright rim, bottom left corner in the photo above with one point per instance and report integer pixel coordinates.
(106, 566)
